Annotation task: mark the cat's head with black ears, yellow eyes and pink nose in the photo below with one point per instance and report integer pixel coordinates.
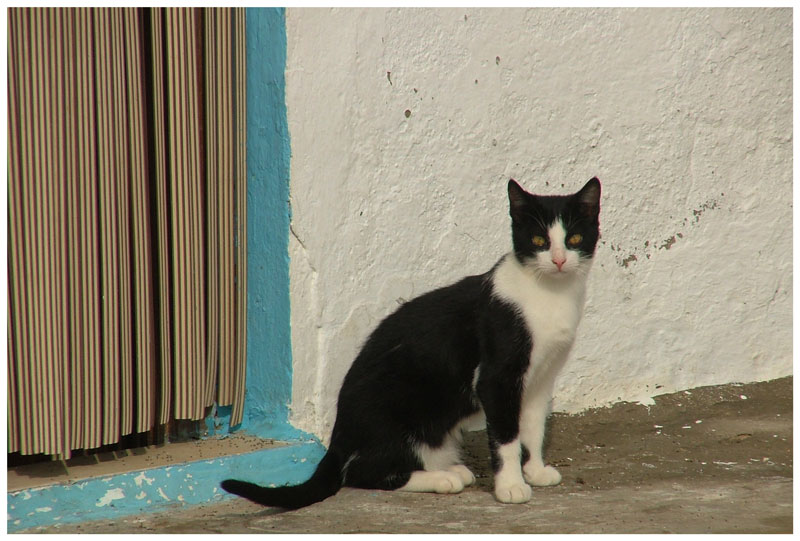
(555, 236)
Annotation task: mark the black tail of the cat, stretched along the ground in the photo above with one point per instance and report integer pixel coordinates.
(325, 482)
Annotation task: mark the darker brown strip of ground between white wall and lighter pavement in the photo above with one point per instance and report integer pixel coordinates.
(720, 432)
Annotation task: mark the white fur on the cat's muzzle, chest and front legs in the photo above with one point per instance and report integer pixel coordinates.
(550, 300)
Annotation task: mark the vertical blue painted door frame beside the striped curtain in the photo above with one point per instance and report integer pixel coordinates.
(269, 353)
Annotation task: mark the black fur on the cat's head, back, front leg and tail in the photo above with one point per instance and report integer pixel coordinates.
(412, 382)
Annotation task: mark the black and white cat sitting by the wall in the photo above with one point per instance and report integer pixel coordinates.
(487, 348)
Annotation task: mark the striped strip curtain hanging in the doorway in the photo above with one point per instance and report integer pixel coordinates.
(126, 151)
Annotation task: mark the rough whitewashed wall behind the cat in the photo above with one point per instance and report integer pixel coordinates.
(684, 115)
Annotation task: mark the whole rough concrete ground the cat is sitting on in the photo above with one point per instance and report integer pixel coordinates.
(709, 460)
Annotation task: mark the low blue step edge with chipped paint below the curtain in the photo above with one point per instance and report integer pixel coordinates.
(158, 489)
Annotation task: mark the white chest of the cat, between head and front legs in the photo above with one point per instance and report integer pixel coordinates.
(551, 311)
